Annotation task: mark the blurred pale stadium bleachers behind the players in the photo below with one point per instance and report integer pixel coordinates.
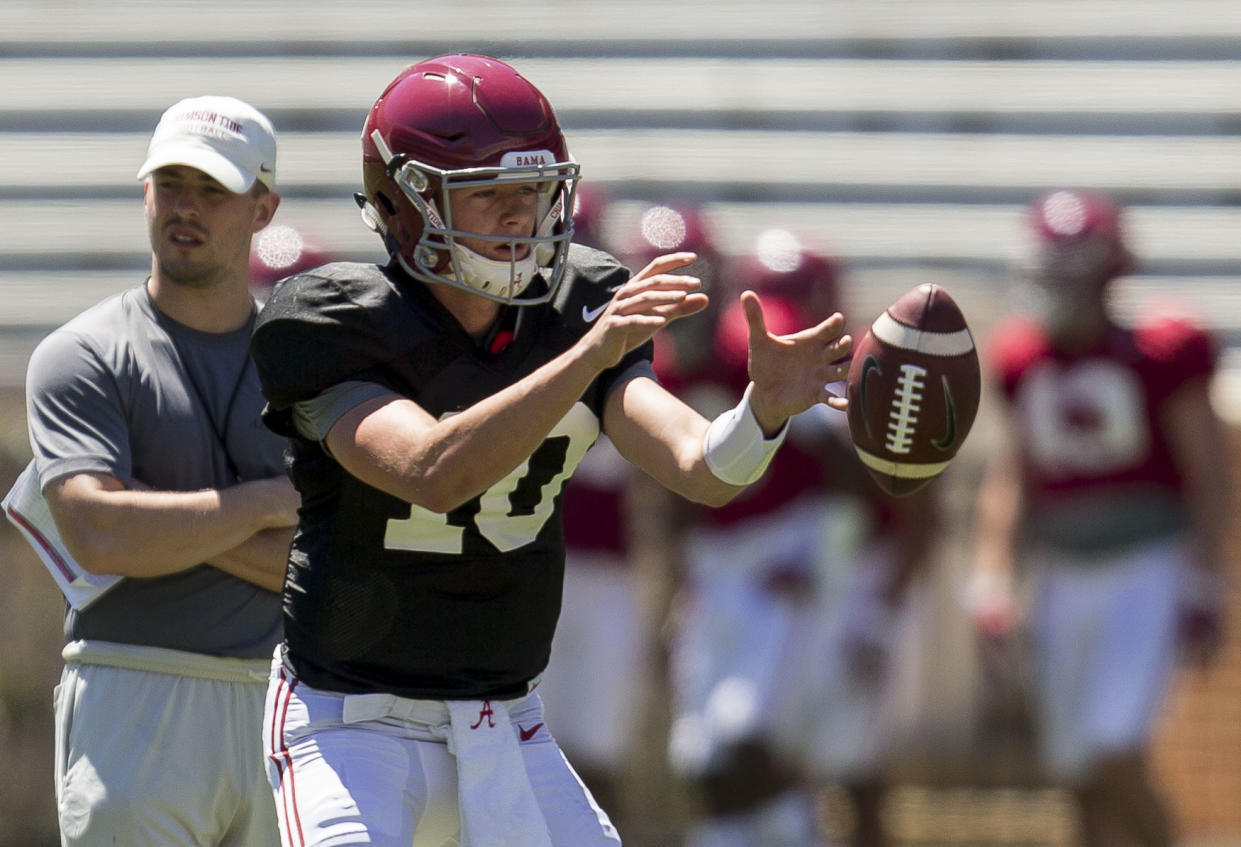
(900, 137)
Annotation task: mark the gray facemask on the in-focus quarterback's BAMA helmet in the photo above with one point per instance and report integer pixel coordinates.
(440, 257)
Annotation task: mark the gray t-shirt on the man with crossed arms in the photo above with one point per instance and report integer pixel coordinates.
(125, 390)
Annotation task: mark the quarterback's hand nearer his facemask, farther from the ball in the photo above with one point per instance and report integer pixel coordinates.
(652, 299)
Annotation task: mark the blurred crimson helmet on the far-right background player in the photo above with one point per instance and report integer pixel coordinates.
(1080, 239)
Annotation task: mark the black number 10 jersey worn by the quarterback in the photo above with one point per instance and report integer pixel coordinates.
(383, 596)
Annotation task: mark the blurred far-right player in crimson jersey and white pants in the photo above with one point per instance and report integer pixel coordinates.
(1114, 494)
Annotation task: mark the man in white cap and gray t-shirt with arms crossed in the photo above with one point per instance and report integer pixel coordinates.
(145, 423)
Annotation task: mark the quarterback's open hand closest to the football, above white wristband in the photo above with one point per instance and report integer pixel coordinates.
(791, 373)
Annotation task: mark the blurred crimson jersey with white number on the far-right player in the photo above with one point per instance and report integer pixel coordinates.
(1100, 467)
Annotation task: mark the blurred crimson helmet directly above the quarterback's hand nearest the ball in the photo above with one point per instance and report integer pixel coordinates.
(782, 267)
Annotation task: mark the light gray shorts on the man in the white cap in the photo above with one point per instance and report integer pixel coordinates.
(162, 748)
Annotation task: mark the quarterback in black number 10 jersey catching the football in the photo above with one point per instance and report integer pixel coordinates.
(436, 406)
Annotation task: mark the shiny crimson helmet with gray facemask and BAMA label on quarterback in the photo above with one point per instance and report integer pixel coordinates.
(456, 122)
